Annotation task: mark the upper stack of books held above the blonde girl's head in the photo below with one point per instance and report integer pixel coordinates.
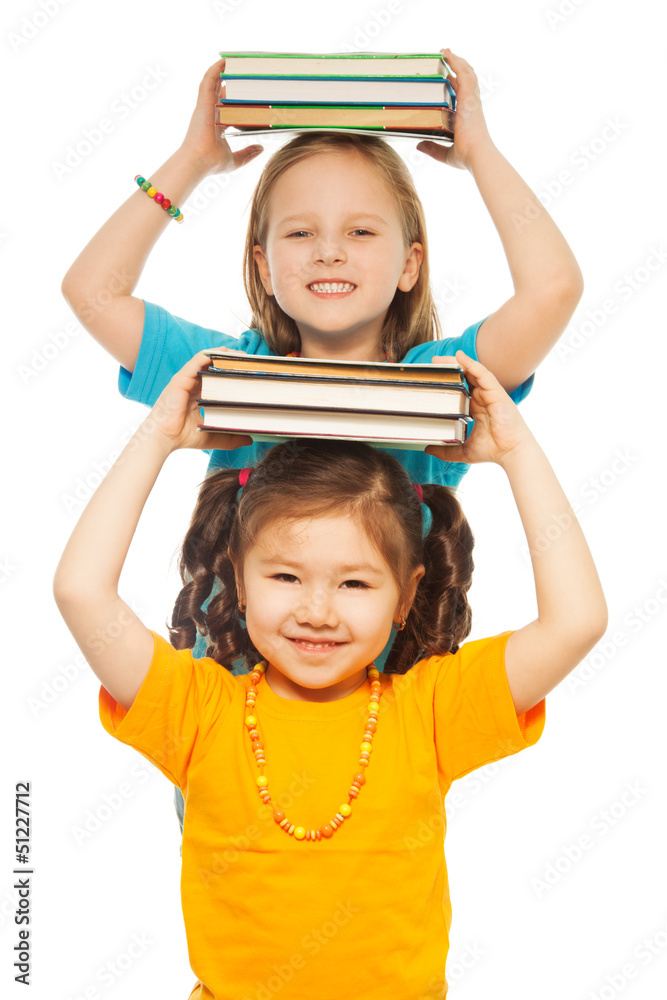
(397, 93)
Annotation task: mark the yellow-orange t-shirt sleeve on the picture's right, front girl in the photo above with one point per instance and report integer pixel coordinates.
(474, 716)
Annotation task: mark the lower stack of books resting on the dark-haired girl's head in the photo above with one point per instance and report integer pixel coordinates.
(273, 398)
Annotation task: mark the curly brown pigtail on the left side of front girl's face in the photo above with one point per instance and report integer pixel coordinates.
(204, 559)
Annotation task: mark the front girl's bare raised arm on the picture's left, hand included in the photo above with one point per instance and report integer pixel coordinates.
(117, 645)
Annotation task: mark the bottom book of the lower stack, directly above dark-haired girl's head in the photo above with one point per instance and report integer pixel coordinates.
(267, 423)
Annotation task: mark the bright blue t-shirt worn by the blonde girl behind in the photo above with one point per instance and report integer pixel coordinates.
(168, 342)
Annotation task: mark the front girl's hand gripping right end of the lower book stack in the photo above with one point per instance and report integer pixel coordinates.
(499, 431)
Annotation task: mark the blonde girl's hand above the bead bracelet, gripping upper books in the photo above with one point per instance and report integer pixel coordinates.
(204, 140)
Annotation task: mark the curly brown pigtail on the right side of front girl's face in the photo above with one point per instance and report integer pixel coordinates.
(440, 617)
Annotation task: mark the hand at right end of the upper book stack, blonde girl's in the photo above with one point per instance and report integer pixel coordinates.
(470, 131)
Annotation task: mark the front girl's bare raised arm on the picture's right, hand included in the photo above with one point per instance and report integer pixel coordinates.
(572, 612)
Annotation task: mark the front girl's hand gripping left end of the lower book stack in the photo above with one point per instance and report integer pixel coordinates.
(176, 415)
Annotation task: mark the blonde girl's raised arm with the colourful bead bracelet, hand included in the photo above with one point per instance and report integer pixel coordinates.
(100, 282)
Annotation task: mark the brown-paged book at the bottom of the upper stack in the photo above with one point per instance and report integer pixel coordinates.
(290, 116)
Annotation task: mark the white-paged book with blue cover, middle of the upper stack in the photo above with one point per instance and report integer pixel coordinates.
(324, 90)
